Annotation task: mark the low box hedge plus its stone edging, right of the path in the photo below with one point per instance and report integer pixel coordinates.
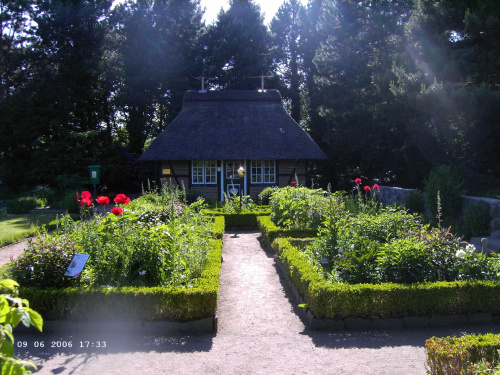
(342, 305)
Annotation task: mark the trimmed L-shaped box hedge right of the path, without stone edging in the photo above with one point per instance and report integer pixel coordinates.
(338, 301)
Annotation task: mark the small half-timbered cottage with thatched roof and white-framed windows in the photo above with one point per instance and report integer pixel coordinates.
(217, 132)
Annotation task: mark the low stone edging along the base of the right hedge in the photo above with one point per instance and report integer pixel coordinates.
(314, 323)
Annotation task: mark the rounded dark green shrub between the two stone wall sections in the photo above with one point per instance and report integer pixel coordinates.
(445, 180)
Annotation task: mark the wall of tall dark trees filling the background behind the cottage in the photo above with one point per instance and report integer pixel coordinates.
(389, 89)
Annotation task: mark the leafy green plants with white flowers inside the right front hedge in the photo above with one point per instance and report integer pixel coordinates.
(394, 246)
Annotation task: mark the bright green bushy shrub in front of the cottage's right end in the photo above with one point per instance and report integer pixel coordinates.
(298, 207)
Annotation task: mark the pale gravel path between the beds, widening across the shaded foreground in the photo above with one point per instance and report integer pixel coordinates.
(259, 332)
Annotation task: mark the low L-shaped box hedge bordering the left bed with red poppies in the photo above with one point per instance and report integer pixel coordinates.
(128, 303)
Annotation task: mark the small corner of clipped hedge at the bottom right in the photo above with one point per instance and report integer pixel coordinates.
(457, 355)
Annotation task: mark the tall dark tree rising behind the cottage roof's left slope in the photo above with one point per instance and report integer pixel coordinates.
(158, 42)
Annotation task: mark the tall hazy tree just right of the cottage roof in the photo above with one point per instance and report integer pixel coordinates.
(359, 131)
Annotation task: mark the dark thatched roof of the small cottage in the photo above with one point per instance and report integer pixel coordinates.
(232, 125)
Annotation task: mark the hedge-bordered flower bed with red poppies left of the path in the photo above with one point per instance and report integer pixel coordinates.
(154, 260)
